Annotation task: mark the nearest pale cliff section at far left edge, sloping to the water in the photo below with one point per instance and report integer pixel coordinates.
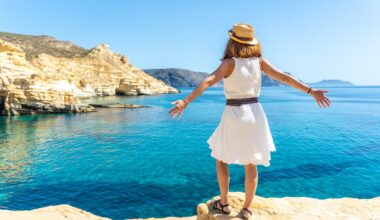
(24, 90)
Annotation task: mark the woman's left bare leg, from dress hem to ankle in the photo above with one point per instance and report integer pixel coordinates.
(223, 180)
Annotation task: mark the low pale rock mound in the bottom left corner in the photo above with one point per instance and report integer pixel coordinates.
(57, 212)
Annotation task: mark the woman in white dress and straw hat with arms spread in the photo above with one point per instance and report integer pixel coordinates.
(243, 135)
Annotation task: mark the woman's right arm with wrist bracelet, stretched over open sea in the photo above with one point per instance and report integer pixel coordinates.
(272, 72)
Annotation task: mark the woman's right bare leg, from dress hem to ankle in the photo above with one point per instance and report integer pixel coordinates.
(251, 179)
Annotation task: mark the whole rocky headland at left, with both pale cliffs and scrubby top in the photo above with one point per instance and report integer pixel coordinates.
(39, 74)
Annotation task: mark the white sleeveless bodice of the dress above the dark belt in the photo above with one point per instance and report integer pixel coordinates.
(245, 79)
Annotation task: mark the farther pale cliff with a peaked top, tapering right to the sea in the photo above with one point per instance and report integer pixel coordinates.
(100, 73)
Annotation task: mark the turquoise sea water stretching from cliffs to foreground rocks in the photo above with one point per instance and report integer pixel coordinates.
(141, 163)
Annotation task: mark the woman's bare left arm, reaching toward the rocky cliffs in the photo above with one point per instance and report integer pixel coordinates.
(225, 69)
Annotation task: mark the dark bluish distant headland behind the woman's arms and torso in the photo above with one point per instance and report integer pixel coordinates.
(188, 78)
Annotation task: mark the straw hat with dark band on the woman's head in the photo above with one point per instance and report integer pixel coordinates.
(243, 33)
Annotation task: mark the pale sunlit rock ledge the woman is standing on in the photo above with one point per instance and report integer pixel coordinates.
(296, 208)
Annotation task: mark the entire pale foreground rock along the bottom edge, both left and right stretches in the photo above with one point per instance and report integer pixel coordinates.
(287, 208)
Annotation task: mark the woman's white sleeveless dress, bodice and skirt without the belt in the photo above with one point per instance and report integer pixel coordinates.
(243, 135)
